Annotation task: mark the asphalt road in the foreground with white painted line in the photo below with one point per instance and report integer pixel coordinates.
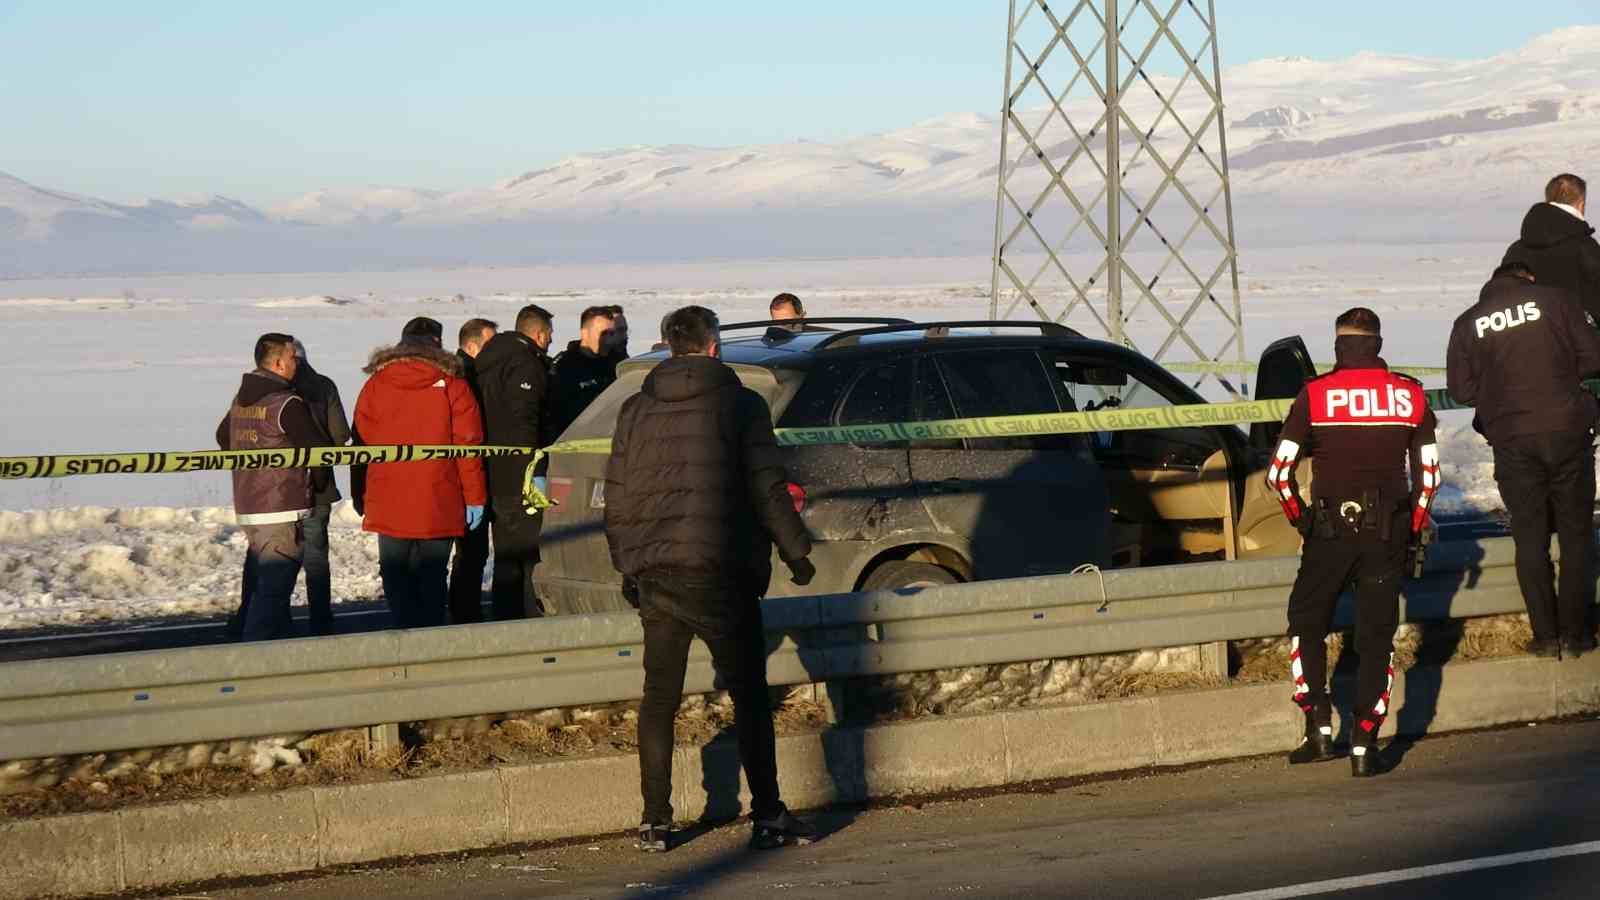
(1252, 829)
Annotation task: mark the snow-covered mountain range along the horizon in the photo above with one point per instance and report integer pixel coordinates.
(1374, 148)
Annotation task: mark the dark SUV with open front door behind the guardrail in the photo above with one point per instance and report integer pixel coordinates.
(905, 513)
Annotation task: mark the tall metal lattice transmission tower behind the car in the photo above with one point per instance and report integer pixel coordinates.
(1114, 211)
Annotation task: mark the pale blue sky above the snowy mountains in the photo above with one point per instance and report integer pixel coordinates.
(265, 102)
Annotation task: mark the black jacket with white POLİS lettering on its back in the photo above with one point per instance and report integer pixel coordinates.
(1519, 356)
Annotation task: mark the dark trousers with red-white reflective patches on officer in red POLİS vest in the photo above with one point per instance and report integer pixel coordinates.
(1327, 566)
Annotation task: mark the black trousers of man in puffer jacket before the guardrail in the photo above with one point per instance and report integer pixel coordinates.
(730, 624)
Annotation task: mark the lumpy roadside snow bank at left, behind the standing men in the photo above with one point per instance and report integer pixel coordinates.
(92, 565)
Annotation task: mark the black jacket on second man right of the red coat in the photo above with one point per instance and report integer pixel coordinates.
(513, 377)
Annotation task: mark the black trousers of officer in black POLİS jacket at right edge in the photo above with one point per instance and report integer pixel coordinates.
(1548, 483)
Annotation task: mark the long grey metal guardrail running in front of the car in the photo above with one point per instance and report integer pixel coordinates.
(207, 694)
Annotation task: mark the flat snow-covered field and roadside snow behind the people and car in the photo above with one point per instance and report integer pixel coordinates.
(151, 363)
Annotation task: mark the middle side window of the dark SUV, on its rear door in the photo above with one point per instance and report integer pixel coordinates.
(1006, 384)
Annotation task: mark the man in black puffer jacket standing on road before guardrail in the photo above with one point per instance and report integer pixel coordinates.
(695, 499)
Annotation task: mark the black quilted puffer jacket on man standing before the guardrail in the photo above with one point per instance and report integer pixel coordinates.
(695, 484)
